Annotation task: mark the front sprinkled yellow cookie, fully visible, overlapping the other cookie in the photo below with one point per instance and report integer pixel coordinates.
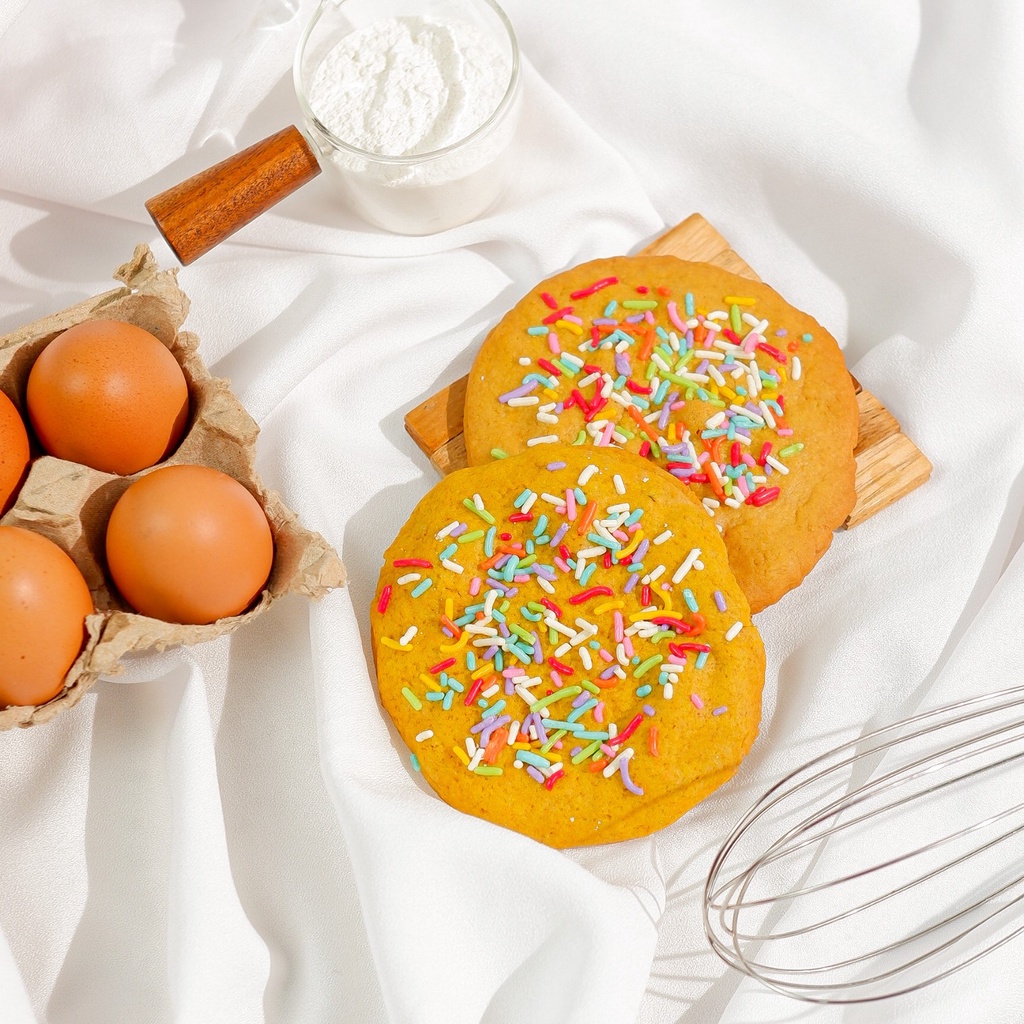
(562, 644)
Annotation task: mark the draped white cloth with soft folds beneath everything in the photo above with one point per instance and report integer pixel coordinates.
(233, 833)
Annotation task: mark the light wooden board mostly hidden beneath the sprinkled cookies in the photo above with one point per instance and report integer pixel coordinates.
(889, 465)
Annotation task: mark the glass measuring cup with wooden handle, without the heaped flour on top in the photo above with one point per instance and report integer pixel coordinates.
(409, 194)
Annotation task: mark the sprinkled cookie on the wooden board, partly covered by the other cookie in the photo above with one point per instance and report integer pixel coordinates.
(746, 401)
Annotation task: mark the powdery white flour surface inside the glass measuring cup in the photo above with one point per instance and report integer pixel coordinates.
(406, 87)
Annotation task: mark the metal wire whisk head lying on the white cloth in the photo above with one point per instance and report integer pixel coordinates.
(884, 866)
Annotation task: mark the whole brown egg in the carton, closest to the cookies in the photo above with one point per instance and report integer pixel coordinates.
(189, 544)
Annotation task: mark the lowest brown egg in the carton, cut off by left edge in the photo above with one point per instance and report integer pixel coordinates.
(44, 605)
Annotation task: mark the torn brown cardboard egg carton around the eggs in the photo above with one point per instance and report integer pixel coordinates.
(70, 503)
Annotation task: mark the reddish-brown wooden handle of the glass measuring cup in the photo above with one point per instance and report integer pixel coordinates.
(200, 214)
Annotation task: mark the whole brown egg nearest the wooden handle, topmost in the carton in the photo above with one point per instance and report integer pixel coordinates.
(109, 396)
